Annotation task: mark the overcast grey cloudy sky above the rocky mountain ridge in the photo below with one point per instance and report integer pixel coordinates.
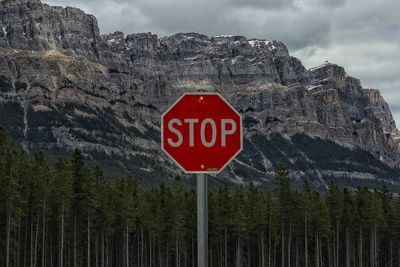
(361, 35)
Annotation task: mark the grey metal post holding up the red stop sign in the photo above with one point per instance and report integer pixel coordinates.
(202, 221)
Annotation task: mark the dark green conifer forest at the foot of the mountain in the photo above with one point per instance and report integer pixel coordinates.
(70, 215)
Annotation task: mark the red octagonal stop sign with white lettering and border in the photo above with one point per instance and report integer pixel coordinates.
(201, 132)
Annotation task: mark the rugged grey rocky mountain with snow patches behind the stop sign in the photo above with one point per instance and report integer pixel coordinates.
(63, 85)
